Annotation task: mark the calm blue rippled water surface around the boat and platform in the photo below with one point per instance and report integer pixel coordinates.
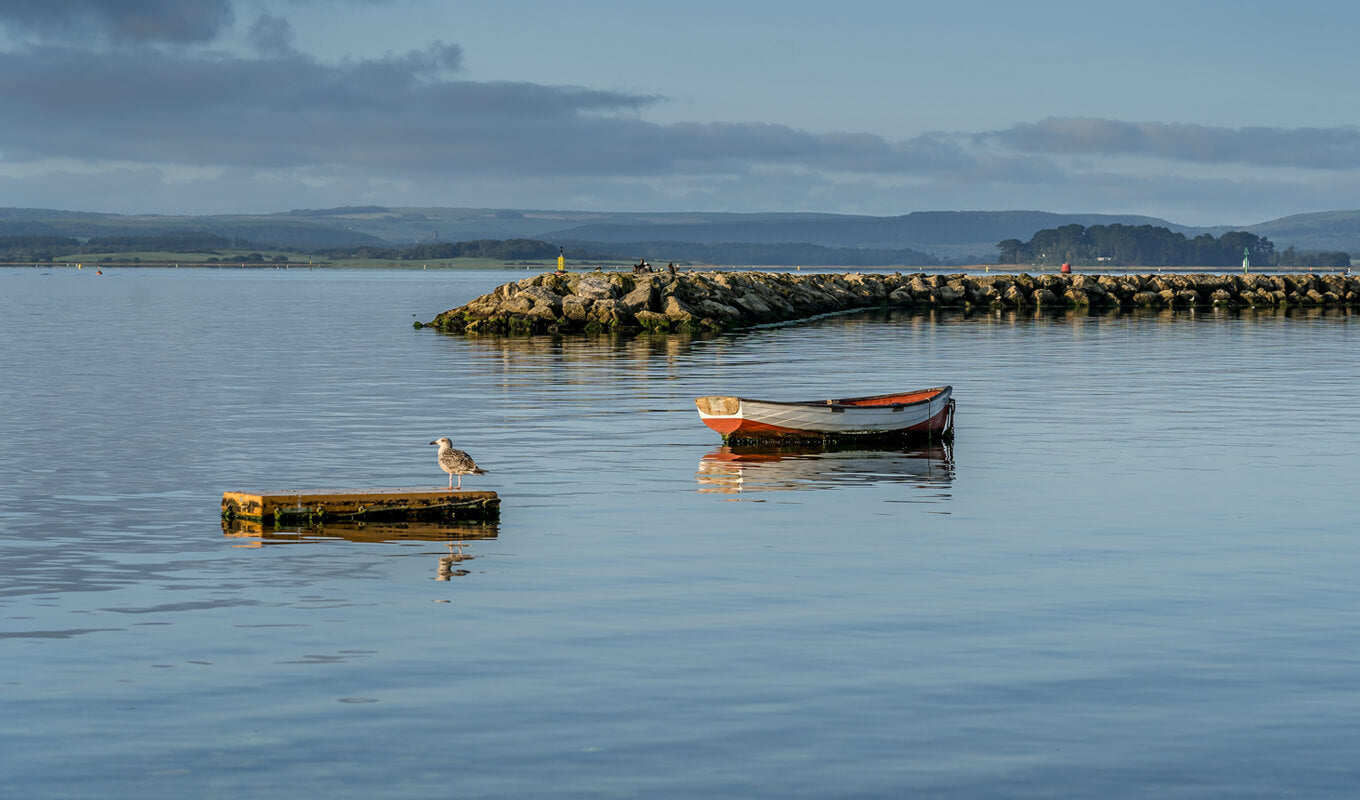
(1134, 575)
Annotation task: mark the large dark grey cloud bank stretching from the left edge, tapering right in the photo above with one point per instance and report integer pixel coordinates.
(402, 112)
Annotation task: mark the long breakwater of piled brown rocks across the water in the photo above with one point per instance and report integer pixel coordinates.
(717, 301)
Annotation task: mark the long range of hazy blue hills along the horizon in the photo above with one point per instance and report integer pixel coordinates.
(946, 236)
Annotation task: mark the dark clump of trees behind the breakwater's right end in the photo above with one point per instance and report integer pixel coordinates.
(1144, 246)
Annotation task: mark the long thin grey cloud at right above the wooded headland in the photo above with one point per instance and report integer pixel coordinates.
(1253, 146)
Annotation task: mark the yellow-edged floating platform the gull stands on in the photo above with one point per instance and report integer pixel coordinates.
(347, 505)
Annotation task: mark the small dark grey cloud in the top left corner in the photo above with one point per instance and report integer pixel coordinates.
(126, 21)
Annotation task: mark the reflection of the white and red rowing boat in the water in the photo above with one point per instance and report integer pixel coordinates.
(783, 469)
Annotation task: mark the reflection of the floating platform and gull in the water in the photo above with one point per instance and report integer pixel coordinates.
(447, 567)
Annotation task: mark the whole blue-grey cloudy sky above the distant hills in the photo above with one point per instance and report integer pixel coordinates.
(1196, 112)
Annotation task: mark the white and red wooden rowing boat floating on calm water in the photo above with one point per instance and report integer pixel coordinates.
(924, 413)
